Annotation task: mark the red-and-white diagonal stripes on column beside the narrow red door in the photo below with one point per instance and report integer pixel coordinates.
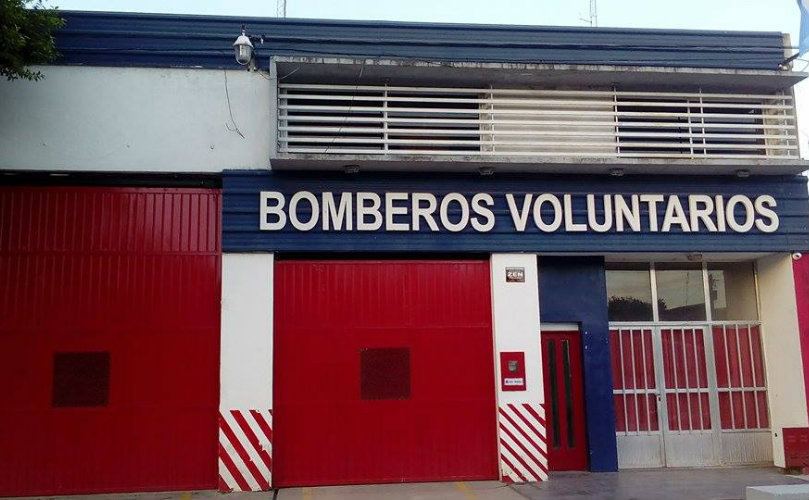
(523, 448)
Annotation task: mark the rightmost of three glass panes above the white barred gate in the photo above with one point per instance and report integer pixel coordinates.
(732, 288)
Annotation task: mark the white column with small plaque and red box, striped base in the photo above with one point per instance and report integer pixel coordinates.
(521, 414)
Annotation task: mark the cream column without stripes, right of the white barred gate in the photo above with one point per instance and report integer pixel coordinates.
(782, 349)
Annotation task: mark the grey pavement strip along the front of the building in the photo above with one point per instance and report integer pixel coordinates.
(654, 484)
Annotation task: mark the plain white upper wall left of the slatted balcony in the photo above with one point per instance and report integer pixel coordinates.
(136, 119)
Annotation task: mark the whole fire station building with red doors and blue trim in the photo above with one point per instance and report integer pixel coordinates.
(387, 252)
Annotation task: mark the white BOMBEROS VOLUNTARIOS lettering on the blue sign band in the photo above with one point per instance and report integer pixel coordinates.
(542, 212)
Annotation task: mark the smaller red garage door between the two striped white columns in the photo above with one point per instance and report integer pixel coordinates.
(383, 372)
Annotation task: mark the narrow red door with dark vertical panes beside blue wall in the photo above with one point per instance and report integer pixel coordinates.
(564, 400)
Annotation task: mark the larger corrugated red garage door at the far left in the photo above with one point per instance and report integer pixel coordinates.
(109, 339)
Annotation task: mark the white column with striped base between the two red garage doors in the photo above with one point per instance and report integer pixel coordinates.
(245, 402)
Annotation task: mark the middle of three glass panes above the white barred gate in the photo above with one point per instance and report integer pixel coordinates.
(680, 292)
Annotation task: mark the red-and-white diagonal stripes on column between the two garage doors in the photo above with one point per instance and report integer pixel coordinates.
(245, 450)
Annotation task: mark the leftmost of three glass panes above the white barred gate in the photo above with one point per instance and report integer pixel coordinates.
(629, 291)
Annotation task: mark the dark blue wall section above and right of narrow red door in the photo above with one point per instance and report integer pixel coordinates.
(574, 290)
